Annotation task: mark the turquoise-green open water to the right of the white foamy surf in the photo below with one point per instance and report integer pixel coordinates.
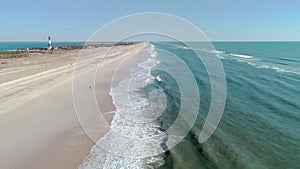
(260, 127)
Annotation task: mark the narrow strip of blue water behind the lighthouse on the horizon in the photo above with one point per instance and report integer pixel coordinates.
(19, 45)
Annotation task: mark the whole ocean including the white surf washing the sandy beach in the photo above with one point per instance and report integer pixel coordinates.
(260, 124)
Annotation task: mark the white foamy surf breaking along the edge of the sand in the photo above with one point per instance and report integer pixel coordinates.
(135, 139)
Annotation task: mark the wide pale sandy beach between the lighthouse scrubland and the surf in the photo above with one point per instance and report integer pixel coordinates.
(39, 127)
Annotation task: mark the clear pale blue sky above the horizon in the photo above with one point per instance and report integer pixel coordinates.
(219, 20)
